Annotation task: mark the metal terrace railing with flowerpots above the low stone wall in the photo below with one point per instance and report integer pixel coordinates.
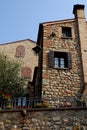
(54, 102)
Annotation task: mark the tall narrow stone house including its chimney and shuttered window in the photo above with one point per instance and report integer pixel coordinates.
(63, 59)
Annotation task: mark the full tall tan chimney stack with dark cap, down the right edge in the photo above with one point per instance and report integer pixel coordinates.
(78, 11)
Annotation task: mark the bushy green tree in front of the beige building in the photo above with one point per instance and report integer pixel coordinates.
(10, 80)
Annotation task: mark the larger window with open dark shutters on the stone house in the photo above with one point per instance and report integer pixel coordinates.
(59, 59)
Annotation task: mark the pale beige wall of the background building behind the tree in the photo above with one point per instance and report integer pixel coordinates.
(29, 59)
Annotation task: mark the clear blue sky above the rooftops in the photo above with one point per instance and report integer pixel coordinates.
(20, 19)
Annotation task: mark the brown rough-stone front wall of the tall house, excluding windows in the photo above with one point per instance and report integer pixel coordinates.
(55, 81)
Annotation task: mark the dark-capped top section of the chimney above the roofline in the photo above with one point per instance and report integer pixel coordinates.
(78, 11)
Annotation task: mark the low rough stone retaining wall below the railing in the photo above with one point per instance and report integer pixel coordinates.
(52, 119)
